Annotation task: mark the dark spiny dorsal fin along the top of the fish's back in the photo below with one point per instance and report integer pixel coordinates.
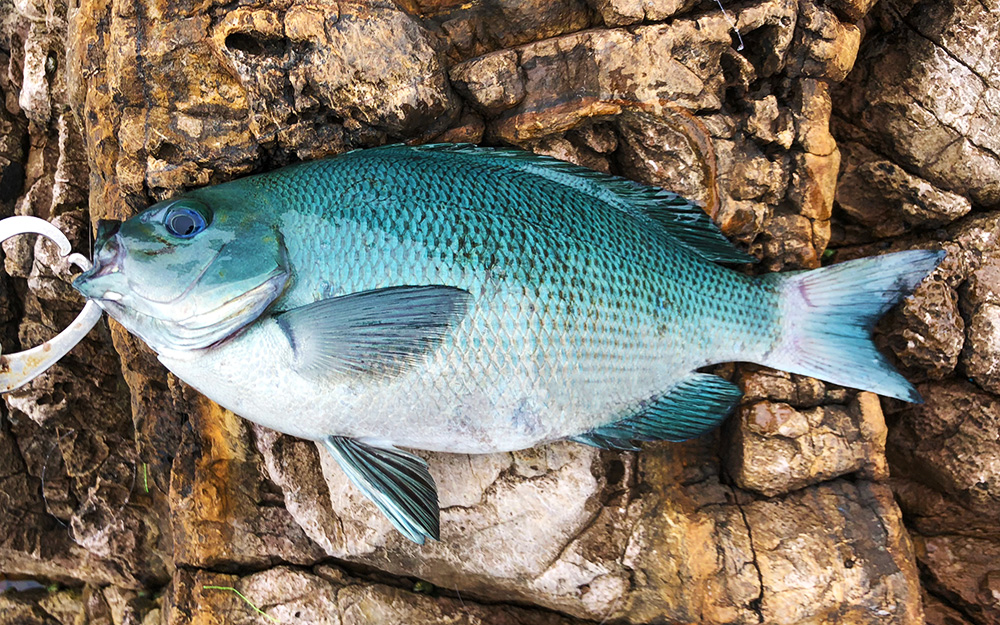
(682, 219)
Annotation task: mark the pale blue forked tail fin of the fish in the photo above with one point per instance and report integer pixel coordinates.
(827, 316)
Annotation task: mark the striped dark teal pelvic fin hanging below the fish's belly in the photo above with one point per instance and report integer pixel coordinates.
(396, 481)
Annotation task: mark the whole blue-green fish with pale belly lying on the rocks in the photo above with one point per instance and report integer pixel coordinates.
(464, 299)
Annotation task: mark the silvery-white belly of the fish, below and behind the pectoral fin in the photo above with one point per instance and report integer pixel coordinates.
(514, 373)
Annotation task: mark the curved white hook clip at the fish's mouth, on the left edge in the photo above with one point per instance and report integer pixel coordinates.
(18, 369)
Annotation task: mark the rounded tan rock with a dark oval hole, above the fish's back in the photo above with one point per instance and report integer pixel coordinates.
(331, 60)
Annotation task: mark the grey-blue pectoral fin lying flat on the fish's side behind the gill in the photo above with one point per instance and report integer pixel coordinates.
(384, 331)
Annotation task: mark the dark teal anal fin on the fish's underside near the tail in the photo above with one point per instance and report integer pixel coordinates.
(690, 409)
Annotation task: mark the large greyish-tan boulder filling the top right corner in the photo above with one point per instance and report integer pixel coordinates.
(927, 96)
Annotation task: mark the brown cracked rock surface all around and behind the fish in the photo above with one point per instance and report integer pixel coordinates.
(135, 500)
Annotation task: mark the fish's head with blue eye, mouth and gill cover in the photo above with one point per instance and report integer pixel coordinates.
(189, 272)
